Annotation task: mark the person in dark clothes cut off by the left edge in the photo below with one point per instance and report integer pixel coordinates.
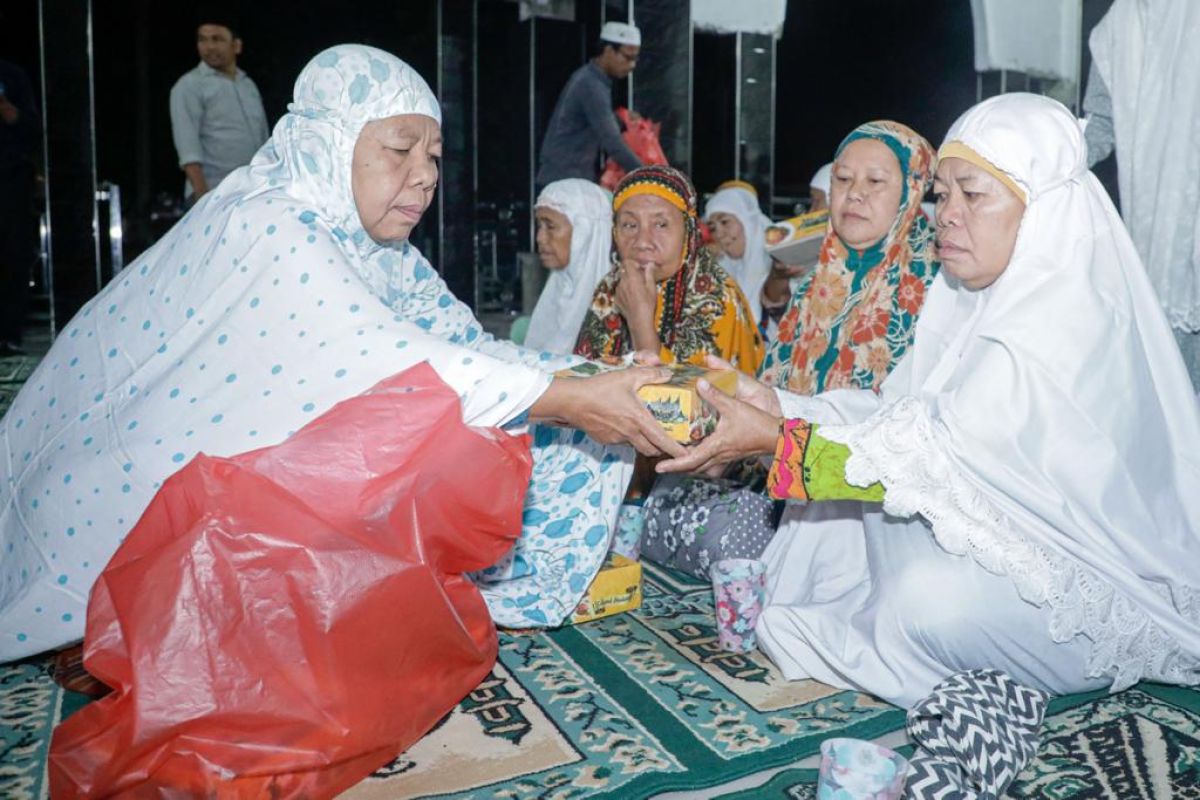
(20, 128)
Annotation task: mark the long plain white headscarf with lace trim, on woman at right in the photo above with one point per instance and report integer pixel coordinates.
(1046, 425)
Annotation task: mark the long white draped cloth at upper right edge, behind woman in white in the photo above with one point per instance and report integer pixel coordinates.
(1145, 51)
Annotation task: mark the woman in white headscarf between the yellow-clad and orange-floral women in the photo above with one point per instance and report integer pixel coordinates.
(740, 228)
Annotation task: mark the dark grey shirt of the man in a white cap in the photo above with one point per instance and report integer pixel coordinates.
(581, 125)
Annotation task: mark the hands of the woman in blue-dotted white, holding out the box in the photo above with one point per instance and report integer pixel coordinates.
(607, 407)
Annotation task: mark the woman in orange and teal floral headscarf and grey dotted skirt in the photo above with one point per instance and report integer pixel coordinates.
(847, 327)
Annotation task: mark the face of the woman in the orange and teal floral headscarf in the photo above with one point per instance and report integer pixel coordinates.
(866, 193)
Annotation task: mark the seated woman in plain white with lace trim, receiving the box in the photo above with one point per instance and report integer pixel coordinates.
(1035, 454)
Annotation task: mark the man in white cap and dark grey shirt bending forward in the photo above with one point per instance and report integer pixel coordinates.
(584, 123)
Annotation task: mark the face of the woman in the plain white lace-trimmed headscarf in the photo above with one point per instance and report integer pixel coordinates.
(977, 222)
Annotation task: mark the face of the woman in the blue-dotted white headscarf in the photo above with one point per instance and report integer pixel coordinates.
(394, 172)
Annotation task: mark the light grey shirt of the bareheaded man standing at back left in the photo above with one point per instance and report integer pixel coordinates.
(217, 122)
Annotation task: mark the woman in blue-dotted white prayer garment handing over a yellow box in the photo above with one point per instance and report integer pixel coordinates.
(287, 288)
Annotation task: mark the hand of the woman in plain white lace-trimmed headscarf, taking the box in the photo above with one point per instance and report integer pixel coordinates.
(745, 431)
